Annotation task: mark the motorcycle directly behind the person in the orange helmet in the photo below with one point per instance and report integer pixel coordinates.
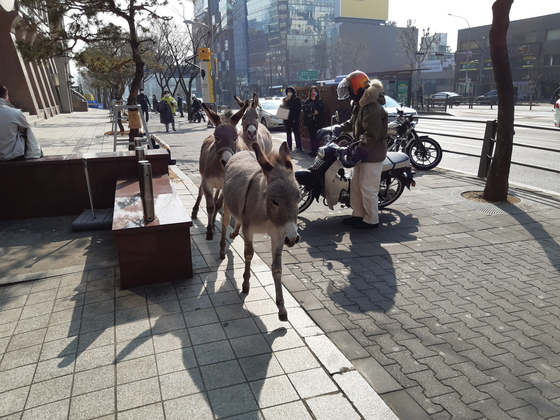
(328, 178)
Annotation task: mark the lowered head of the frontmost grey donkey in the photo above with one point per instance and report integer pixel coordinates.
(282, 191)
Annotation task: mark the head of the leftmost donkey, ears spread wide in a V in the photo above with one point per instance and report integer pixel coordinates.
(225, 134)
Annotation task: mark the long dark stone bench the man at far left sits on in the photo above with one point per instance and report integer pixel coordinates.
(56, 185)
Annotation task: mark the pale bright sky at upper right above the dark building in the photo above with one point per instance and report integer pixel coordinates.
(434, 14)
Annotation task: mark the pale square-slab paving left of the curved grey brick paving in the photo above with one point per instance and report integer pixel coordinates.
(74, 345)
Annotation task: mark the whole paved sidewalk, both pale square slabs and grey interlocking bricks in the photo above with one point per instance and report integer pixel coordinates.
(450, 310)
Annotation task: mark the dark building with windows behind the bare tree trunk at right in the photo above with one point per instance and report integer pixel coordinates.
(534, 54)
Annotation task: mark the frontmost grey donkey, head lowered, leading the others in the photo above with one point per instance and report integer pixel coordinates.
(262, 194)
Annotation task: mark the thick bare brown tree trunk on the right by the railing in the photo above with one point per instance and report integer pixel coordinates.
(497, 183)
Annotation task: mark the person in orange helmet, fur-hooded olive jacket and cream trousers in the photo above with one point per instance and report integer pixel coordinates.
(368, 123)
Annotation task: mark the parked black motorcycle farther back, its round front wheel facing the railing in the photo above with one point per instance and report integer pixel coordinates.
(423, 151)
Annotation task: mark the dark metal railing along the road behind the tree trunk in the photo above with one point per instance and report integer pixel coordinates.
(489, 141)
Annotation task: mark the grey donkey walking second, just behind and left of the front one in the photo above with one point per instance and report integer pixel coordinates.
(215, 152)
